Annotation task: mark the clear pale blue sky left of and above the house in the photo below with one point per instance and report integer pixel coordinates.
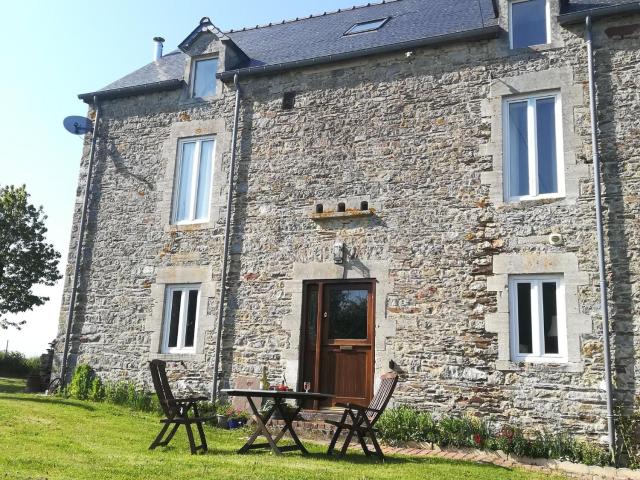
(54, 50)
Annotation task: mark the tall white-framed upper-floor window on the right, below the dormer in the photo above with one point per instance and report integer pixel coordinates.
(533, 150)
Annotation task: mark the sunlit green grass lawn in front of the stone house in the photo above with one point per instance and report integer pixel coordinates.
(53, 438)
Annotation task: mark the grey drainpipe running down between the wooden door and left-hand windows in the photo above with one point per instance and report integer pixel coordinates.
(225, 254)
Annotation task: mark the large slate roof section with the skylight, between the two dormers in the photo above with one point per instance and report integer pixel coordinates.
(323, 35)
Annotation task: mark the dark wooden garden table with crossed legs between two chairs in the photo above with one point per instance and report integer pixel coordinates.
(278, 398)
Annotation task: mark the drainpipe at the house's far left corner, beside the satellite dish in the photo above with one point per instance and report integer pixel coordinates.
(76, 271)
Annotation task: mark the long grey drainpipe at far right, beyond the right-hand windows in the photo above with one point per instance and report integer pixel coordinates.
(601, 258)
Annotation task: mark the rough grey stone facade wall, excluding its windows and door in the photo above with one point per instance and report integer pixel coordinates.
(419, 137)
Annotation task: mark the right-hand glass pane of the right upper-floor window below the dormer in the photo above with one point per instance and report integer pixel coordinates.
(546, 133)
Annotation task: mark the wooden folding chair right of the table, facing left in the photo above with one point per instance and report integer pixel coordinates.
(359, 420)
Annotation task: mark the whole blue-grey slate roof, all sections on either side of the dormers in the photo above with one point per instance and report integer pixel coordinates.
(322, 36)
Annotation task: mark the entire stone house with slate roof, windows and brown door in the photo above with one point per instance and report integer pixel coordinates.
(413, 189)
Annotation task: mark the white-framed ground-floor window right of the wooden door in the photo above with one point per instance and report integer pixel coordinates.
(537, 318)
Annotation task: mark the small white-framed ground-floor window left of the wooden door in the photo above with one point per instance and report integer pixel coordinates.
(180, 321)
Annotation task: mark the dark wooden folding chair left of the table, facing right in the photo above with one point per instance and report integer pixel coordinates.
(176, 411)
